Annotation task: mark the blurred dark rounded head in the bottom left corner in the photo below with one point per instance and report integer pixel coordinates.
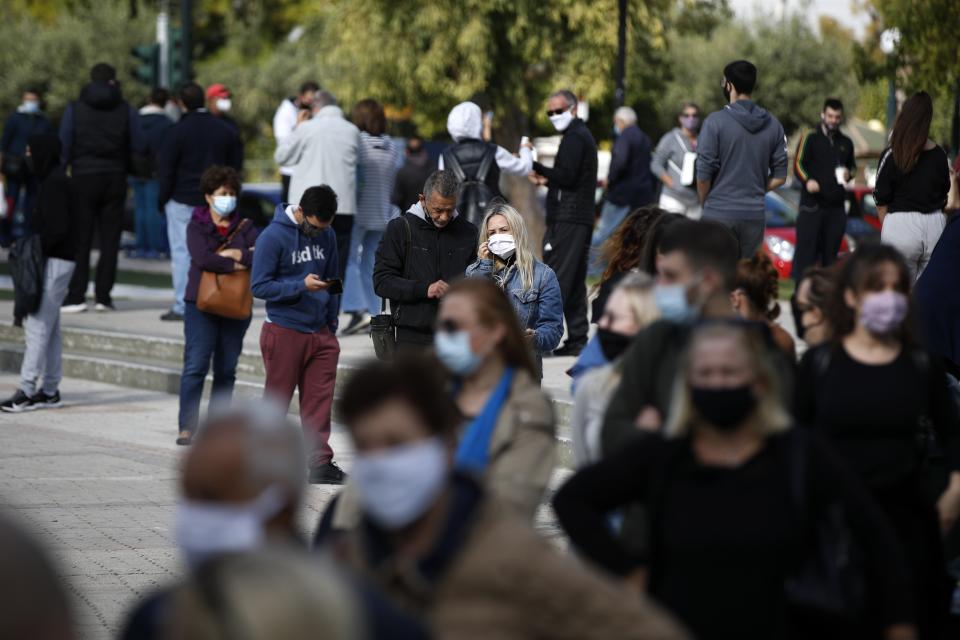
(33, 603)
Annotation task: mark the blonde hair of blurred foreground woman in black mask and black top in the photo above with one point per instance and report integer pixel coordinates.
(771, 416)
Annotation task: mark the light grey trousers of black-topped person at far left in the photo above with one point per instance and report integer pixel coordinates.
(42, 329)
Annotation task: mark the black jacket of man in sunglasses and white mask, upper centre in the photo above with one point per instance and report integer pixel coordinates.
(572, 180)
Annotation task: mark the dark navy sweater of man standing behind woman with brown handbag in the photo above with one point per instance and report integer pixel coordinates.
(198, 141)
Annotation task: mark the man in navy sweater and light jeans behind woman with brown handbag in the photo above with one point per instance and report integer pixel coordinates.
(196, 143)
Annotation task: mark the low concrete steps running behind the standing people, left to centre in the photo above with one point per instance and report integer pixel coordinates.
(155, 364)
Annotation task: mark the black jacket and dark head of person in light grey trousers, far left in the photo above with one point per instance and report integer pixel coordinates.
(53, 218)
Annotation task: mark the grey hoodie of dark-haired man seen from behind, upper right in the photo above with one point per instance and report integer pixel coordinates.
(739, 149)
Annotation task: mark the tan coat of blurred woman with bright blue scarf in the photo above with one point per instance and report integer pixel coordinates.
(523, 452)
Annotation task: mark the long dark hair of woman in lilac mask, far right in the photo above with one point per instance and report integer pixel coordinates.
(860, 273)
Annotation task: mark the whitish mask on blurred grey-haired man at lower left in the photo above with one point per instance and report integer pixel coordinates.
(206, 529)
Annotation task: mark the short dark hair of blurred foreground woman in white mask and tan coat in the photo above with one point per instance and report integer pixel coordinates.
(418, 381)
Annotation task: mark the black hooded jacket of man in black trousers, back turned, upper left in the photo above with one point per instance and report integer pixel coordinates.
(99, 132)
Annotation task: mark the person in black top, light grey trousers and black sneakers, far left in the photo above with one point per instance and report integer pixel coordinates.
(55, 221)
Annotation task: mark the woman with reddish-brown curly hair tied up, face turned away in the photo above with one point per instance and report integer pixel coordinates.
(755, 295)
